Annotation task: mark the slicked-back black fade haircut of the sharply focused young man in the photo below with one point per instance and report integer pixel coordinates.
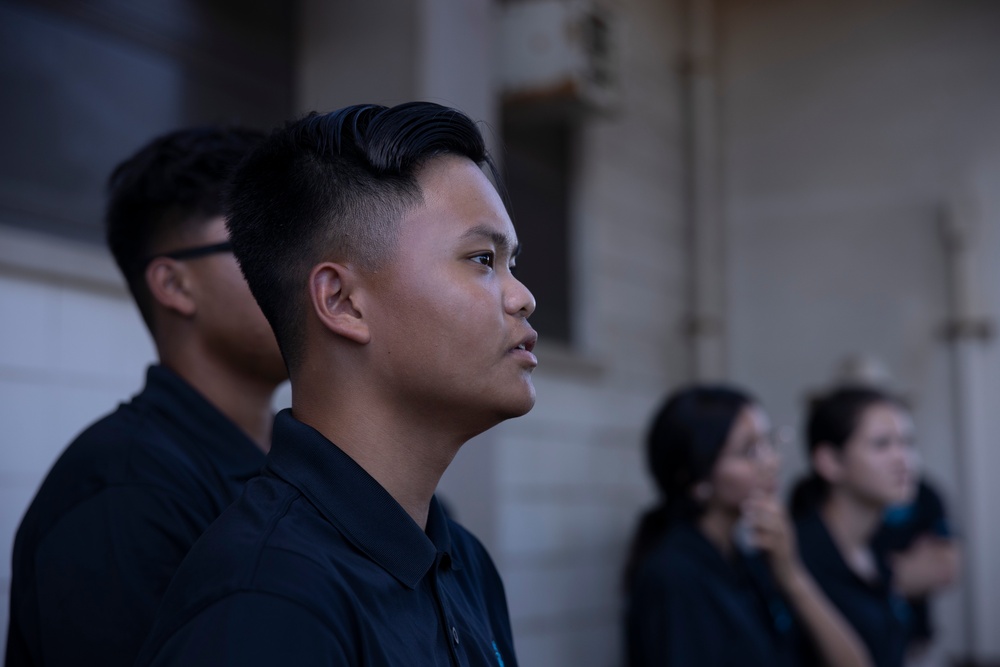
(333, 187)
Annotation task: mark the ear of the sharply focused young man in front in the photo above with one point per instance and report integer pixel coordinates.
(331, 288)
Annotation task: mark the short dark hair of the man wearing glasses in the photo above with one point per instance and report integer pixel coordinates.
(172, 185)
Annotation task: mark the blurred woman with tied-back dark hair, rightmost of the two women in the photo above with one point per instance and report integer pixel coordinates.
(861, 462)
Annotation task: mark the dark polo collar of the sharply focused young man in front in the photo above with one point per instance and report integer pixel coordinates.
(356, 504)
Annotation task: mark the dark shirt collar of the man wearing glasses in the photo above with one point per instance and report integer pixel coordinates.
(214, 434)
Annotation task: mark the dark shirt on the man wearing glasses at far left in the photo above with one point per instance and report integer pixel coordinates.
(114, 518)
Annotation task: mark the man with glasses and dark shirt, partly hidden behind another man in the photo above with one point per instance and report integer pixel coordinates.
(126, 500)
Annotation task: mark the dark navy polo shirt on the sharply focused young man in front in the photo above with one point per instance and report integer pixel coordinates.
(316, 564)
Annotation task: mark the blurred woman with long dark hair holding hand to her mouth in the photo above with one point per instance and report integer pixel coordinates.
(713, 578)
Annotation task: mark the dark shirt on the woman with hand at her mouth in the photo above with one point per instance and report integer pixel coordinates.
(690, 606)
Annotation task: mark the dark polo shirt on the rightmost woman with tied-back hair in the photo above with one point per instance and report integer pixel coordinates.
(877, 614)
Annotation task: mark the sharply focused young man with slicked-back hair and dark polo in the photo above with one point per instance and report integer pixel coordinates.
(383, 258)
